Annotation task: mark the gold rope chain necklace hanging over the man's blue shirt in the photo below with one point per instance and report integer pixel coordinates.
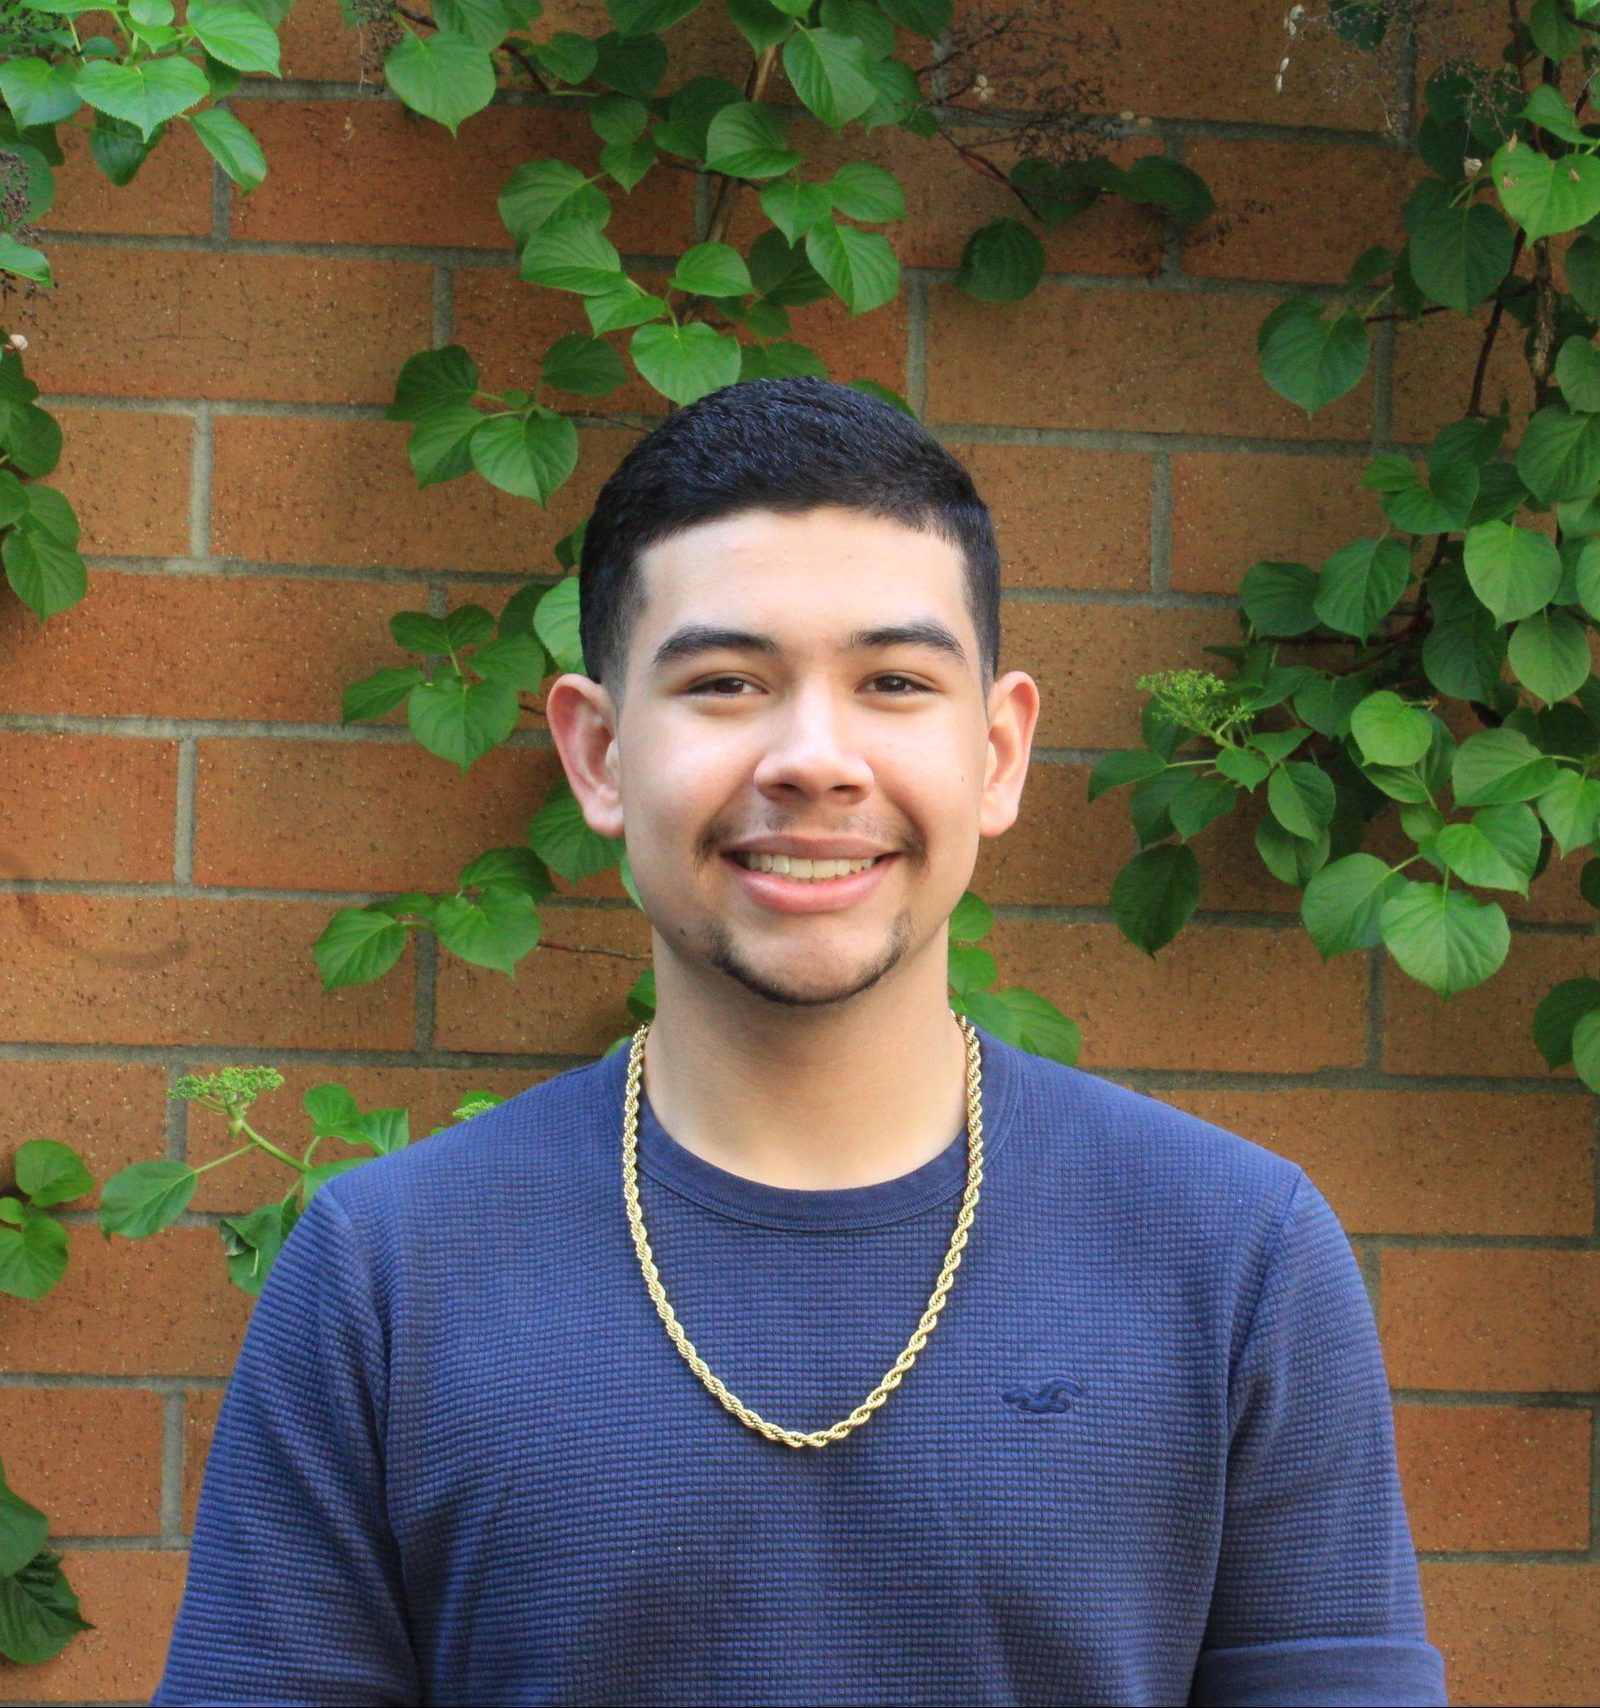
(935, 1304)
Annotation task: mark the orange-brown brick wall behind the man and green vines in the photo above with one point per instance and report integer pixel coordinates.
(180, 809)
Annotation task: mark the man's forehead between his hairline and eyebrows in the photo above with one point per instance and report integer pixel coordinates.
(815, 573)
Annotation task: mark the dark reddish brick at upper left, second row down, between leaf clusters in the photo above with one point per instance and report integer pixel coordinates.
(366, 172)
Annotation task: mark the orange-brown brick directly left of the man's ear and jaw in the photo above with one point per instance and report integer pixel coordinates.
(269, 812)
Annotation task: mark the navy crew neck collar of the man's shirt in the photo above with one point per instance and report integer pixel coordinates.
(865, 1207)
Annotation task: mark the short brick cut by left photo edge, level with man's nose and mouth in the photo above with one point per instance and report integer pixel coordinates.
(88, 807)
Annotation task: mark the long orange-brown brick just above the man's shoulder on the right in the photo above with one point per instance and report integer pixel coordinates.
(1428, 1162)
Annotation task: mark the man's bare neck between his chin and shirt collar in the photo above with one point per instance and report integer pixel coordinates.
(812, 1099)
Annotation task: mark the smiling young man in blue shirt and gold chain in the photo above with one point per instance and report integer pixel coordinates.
(817, 1350)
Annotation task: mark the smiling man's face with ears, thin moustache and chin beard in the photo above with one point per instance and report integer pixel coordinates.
(803, 689)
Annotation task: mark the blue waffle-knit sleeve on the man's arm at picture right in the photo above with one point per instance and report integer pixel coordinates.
(1317, 1594)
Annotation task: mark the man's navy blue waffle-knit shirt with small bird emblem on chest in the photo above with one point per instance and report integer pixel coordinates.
(1147, 1456)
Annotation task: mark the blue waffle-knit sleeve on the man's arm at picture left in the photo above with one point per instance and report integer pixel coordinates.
(295, 1588)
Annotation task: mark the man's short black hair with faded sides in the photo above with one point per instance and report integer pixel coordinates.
(778, 445)
